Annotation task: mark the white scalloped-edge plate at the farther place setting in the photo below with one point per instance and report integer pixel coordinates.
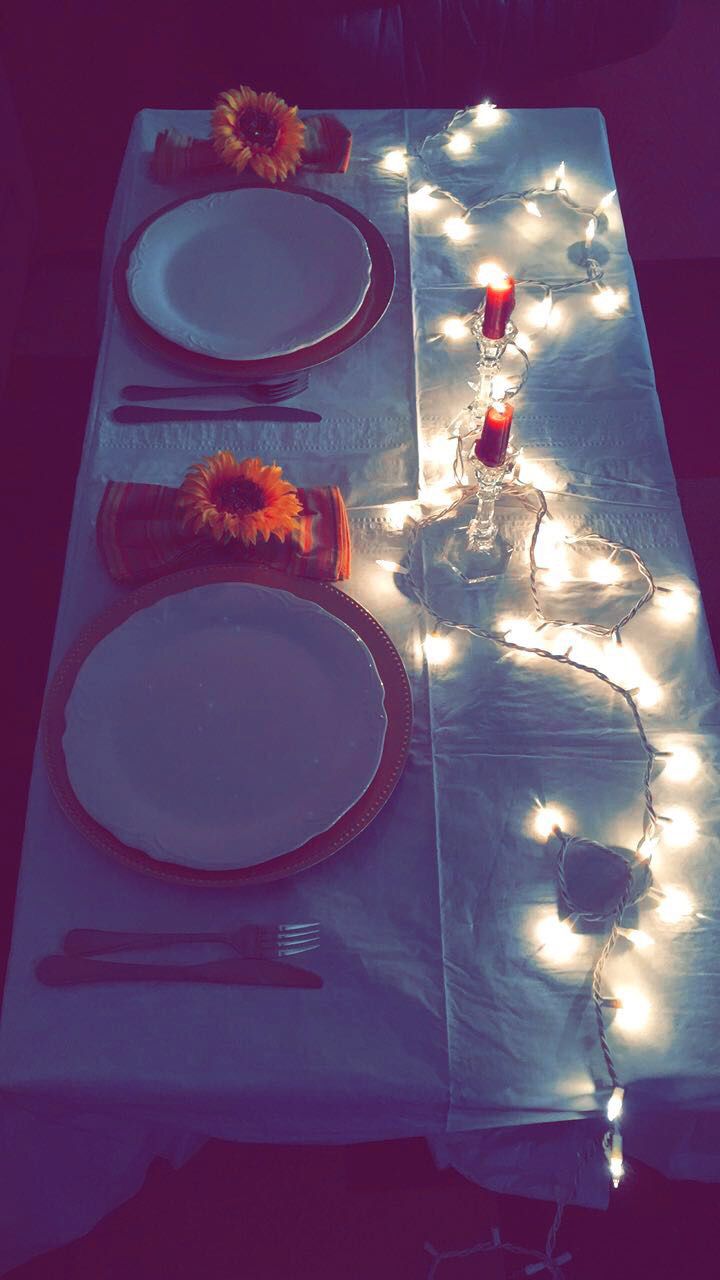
(249, 275)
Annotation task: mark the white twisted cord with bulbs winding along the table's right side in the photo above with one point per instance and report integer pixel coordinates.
(621, 683)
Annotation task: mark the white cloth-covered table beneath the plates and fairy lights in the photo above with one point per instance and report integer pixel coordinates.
(441, 1014)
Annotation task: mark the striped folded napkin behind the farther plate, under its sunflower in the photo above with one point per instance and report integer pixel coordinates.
(177, 156)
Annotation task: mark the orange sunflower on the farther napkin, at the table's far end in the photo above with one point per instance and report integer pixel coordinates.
(258, 130)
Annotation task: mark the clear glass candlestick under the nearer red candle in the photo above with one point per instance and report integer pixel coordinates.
(476, 550)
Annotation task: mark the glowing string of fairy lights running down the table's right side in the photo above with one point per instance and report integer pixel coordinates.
(587, 648)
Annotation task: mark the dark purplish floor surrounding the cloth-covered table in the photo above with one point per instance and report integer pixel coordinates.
(239, 1213)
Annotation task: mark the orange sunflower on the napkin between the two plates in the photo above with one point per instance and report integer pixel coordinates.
(240, 501)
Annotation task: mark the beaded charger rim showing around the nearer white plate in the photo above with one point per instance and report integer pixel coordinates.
(398, 705)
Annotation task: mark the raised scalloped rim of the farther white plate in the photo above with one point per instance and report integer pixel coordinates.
(174, 331)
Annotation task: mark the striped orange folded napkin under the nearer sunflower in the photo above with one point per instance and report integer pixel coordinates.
(142, 538)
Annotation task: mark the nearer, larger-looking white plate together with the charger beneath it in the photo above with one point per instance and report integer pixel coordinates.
(227, 726)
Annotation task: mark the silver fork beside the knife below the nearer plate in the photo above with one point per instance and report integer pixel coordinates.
(259, 941)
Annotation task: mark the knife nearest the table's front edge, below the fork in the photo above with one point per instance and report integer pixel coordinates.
(69, 971)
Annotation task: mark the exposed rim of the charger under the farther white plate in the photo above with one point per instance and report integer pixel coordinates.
(366, 319)
